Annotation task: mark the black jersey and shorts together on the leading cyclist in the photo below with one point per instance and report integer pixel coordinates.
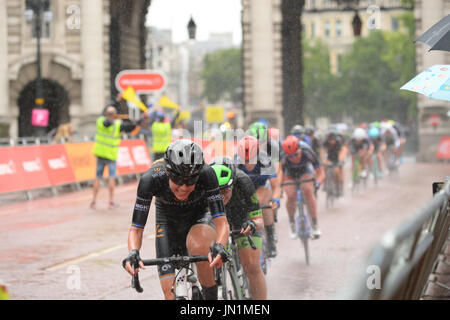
(174, 218)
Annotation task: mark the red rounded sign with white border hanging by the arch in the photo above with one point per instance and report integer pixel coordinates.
(142, 81)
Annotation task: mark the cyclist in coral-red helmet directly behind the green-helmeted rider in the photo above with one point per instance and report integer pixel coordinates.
(257, 164)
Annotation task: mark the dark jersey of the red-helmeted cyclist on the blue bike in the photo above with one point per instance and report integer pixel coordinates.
(309, 159)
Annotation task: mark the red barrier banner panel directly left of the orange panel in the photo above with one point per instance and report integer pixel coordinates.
(57, 165)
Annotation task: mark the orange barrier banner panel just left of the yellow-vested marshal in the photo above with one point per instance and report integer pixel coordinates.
(82, 160)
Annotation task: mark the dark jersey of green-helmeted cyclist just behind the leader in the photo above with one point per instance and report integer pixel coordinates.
(244, 204)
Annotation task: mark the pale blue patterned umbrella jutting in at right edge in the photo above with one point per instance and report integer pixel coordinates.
(433, 82)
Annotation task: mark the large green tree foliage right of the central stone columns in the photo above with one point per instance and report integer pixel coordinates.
(368, 85)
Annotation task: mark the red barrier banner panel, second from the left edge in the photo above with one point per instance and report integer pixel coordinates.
(30, 167)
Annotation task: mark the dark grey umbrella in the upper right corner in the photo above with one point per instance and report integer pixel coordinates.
(438, 36)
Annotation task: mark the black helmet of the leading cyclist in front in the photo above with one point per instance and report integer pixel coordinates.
(184, 158)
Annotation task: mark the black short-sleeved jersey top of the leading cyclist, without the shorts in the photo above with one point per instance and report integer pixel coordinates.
(155, 183)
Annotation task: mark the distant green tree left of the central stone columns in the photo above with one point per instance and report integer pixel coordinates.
(221, 75)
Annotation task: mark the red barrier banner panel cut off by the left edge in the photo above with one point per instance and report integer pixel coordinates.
(11, 179)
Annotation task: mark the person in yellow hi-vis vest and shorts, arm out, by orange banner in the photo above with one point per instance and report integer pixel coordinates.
(106, 148)
